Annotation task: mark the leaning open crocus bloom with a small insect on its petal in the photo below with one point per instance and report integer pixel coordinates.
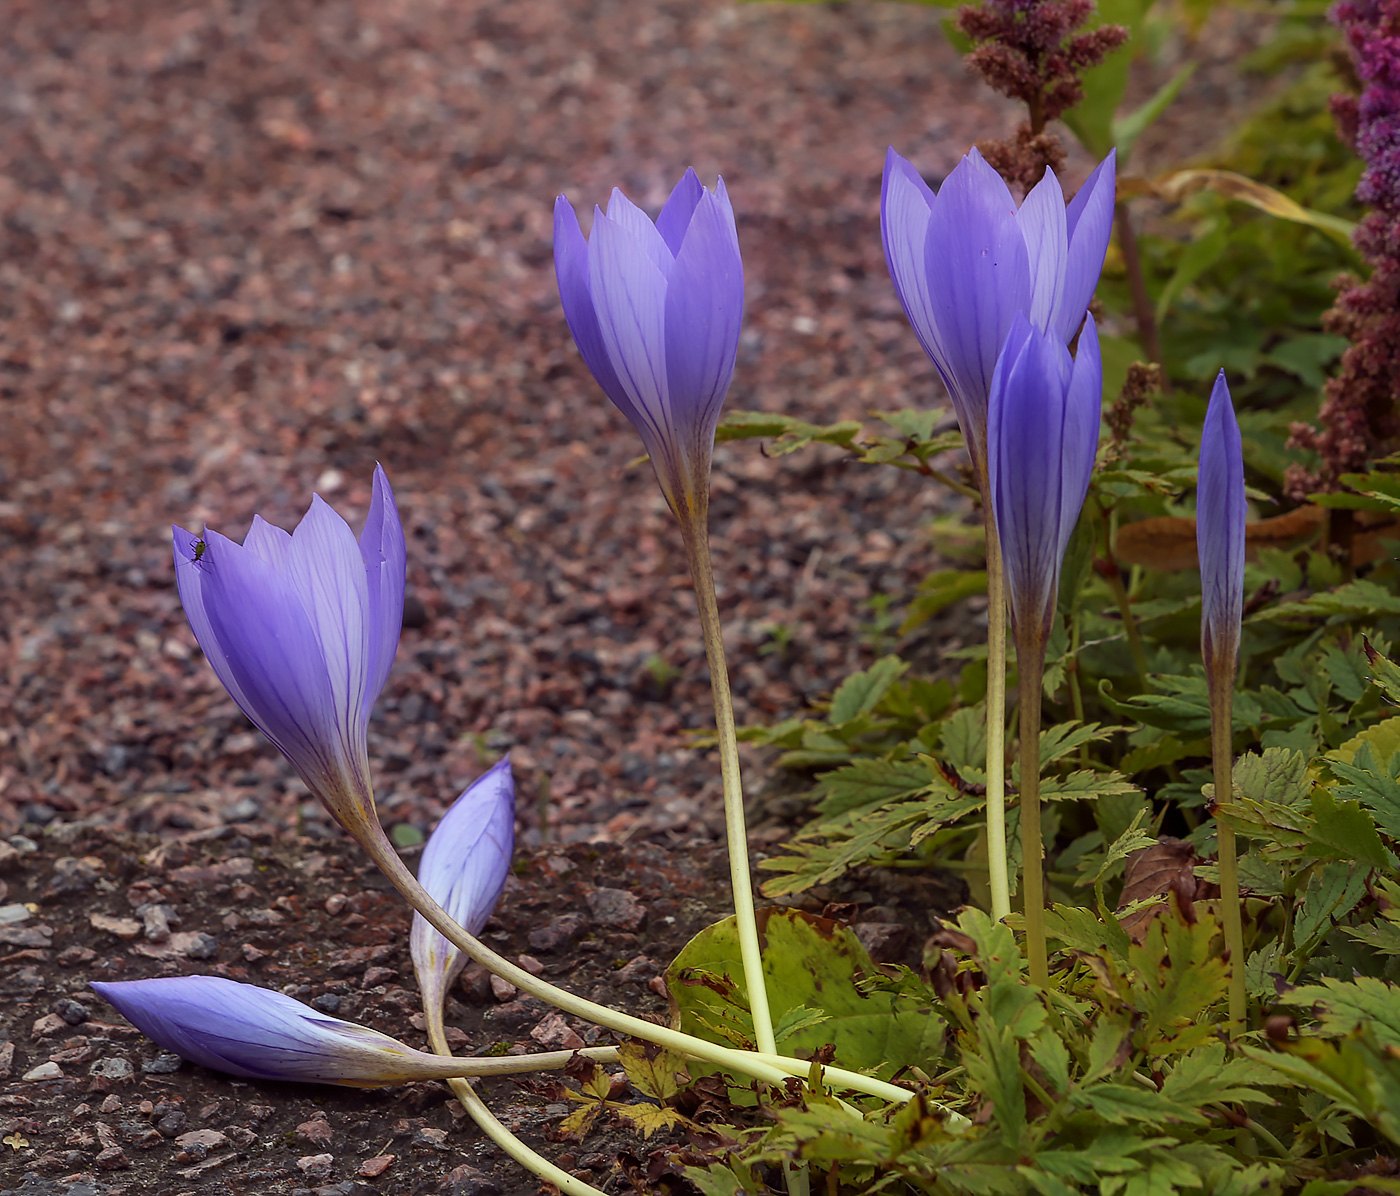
(302, 631)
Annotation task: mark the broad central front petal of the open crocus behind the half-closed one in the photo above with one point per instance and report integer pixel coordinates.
(979, 279)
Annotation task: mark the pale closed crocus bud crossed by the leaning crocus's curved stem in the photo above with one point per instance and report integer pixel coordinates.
(464, 870)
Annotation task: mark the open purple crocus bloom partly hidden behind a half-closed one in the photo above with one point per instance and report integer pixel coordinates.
(968, 261)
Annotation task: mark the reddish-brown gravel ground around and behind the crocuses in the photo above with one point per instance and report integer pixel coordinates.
(247, 250)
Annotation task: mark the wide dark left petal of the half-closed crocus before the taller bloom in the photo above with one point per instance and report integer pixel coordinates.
(1025, 438)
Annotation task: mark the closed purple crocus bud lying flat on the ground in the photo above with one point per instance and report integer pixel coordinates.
(258, 1034)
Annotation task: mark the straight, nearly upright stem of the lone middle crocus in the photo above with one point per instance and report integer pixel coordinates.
(702, 572)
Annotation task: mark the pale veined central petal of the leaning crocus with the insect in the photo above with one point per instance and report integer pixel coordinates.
(328, 573)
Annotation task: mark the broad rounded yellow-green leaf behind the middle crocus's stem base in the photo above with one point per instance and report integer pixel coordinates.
(810, 964)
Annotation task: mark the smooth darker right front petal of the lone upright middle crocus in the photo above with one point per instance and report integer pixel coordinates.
(705, 310)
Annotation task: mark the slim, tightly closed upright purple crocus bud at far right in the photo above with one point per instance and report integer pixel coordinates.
(1220, 533)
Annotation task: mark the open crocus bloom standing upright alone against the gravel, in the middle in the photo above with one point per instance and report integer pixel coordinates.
(656, 312)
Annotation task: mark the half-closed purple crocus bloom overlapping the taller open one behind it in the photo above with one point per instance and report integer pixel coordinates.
(1042, 436)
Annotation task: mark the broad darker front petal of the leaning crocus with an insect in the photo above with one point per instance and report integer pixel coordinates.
(276, 669)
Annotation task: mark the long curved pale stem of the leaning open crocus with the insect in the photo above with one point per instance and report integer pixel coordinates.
(743, 1062)
